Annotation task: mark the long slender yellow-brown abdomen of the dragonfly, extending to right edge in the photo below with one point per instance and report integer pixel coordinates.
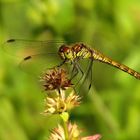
(104, 59)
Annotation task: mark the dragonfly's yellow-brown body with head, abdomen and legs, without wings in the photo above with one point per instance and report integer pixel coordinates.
(74, 53)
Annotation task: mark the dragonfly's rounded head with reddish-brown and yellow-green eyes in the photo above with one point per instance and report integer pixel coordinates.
(65, 52)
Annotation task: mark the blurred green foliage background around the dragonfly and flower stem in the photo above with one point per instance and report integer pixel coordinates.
(112, 108)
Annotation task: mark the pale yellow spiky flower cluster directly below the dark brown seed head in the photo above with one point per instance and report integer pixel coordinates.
(61, 103)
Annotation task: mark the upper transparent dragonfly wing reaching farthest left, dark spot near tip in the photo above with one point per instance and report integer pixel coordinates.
(22, 48)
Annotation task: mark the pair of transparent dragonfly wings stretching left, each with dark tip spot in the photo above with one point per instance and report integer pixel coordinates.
(36, 56)
